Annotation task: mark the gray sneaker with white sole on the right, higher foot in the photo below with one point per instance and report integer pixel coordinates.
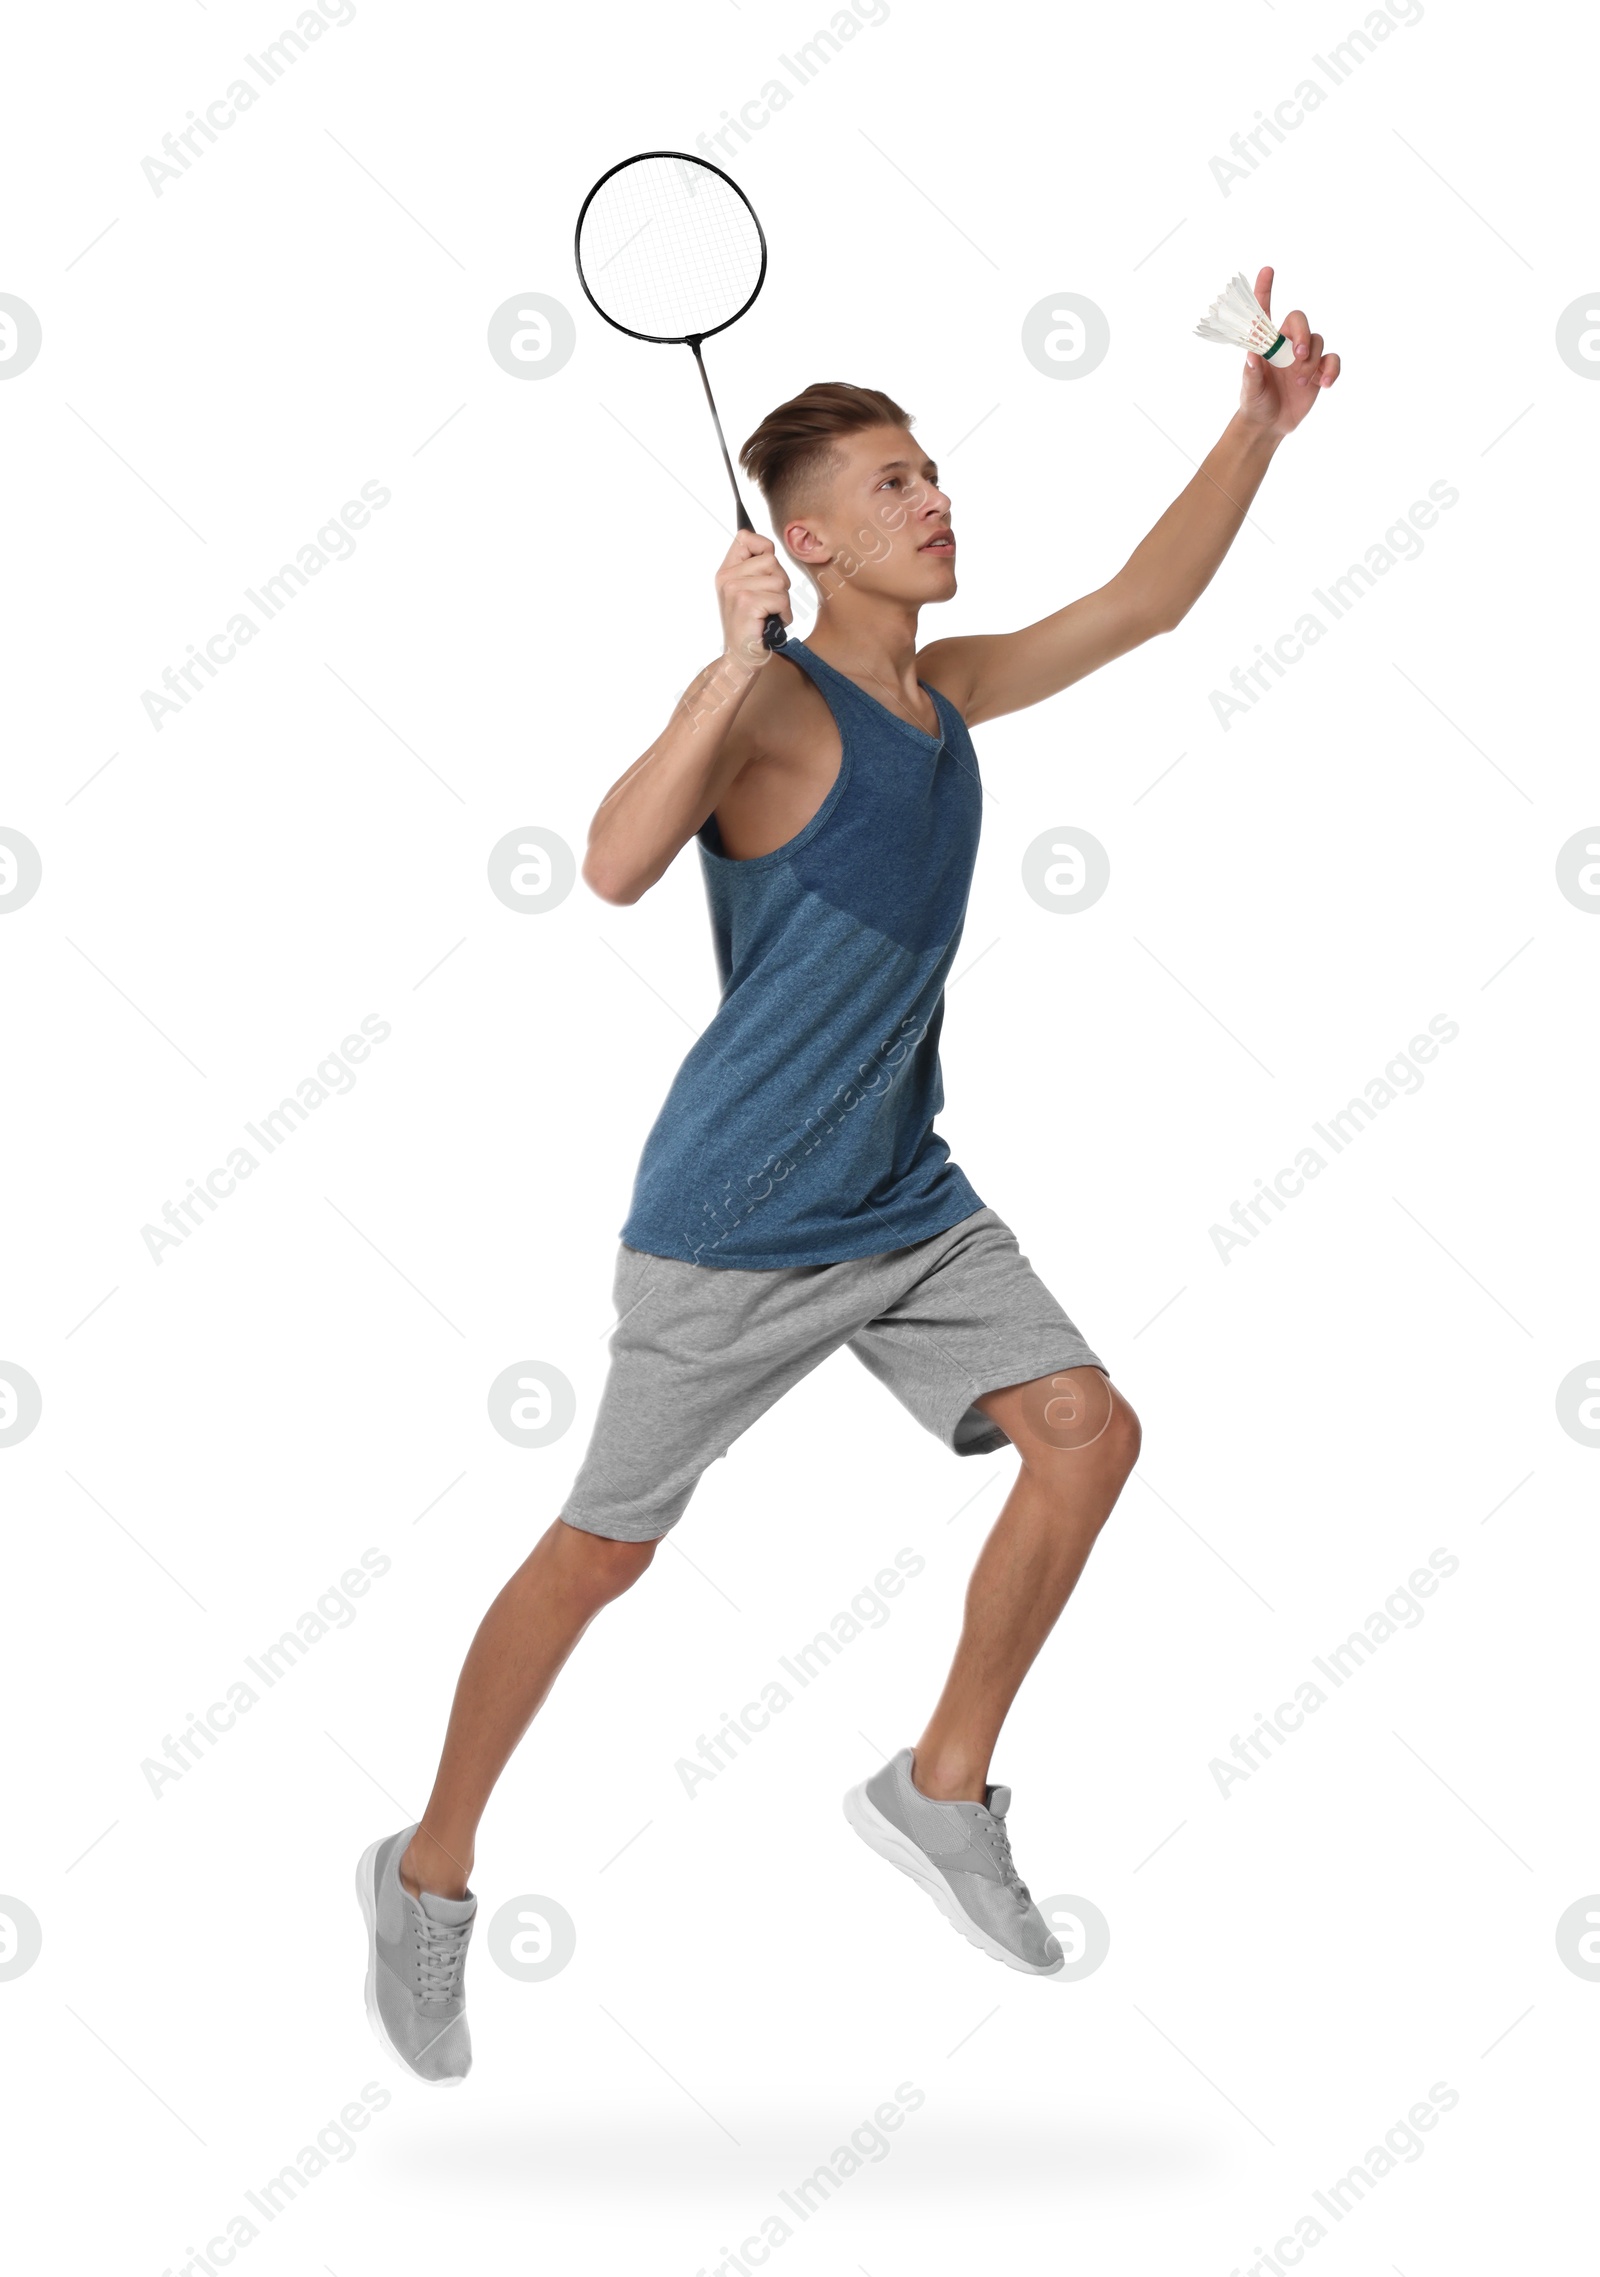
(962, 1857)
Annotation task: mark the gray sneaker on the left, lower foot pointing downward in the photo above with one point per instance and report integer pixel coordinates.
(415, 1959)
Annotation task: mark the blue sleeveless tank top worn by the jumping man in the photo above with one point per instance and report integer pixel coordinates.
(800, 1128)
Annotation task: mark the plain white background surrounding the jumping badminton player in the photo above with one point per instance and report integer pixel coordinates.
(306, 1376)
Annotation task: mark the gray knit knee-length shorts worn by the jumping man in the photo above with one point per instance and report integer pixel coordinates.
(702, 1351)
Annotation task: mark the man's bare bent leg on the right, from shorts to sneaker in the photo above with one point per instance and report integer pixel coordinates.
(1078, 1440)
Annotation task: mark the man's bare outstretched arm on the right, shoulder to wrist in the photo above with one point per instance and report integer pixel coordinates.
(1162, 579)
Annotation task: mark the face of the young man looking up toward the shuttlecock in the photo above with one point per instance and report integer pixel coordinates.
(880, 523)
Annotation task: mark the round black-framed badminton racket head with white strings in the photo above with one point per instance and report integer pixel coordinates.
(670, 247)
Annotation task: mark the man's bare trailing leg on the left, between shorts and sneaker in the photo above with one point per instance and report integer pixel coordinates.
(513, 1661)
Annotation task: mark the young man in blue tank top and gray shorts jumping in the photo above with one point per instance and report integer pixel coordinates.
(793, 1194)
